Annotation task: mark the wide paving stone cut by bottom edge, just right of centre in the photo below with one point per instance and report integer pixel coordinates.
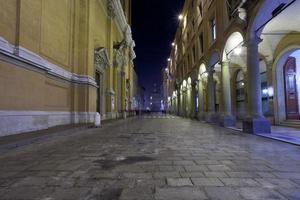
(186, 193)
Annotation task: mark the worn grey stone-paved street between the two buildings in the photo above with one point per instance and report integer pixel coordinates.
(152, 158)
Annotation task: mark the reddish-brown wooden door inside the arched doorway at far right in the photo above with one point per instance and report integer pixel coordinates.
(291, 96)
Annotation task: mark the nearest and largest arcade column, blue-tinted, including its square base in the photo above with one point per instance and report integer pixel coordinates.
(255, 122)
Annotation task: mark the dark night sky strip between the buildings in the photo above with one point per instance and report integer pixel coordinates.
(154, 24)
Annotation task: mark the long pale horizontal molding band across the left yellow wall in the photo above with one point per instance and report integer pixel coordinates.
(37, 62)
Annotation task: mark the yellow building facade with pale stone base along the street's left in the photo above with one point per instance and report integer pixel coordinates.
(61, 61)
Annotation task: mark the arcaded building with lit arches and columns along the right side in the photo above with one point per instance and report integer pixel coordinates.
(236, 63)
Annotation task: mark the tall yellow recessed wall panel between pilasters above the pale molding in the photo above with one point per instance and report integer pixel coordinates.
(56, 31)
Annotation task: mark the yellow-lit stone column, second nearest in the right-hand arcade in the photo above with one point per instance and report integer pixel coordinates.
(227, 119)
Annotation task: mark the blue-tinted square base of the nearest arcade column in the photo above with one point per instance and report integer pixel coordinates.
(256, 125)
